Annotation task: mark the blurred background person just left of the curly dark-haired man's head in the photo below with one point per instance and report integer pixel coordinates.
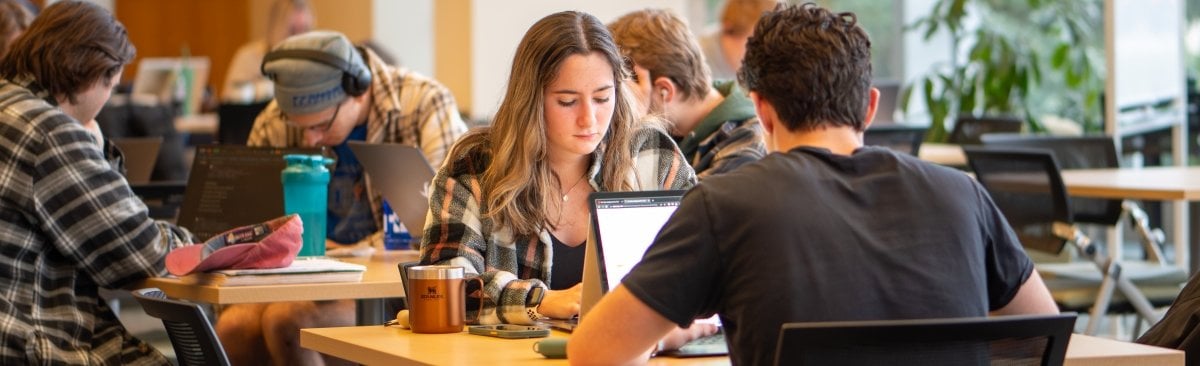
(725, 47)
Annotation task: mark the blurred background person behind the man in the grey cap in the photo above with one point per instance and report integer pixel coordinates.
(244, 81)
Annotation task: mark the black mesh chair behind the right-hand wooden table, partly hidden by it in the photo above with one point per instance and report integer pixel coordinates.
(1090, 153)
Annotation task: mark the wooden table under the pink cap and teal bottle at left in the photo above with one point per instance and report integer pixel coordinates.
(381, 281)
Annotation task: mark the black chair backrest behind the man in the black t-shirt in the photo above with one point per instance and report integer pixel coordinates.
(1022, 340)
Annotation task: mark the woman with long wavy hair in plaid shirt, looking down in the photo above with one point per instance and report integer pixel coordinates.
(511, 203)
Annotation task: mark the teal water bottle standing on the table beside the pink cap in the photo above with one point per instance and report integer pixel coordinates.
(305, 193)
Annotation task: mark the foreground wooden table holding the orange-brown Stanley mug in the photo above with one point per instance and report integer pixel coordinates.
(395, 346)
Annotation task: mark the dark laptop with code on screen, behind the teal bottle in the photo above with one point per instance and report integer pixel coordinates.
(232, 187)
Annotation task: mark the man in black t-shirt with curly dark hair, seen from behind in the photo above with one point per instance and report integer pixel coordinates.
(823, 230)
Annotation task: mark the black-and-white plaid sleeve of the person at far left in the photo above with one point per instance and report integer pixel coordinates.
(98, 219)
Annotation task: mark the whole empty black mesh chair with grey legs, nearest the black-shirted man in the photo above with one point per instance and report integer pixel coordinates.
(1025, 184)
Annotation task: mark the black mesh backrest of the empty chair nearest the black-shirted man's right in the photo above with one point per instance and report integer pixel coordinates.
(1027, 187)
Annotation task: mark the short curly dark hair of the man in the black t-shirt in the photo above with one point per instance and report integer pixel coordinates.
(813, 65)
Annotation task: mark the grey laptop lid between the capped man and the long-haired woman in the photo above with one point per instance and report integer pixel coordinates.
(403, 176)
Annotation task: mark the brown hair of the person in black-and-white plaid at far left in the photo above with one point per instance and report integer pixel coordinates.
(70, 47)
